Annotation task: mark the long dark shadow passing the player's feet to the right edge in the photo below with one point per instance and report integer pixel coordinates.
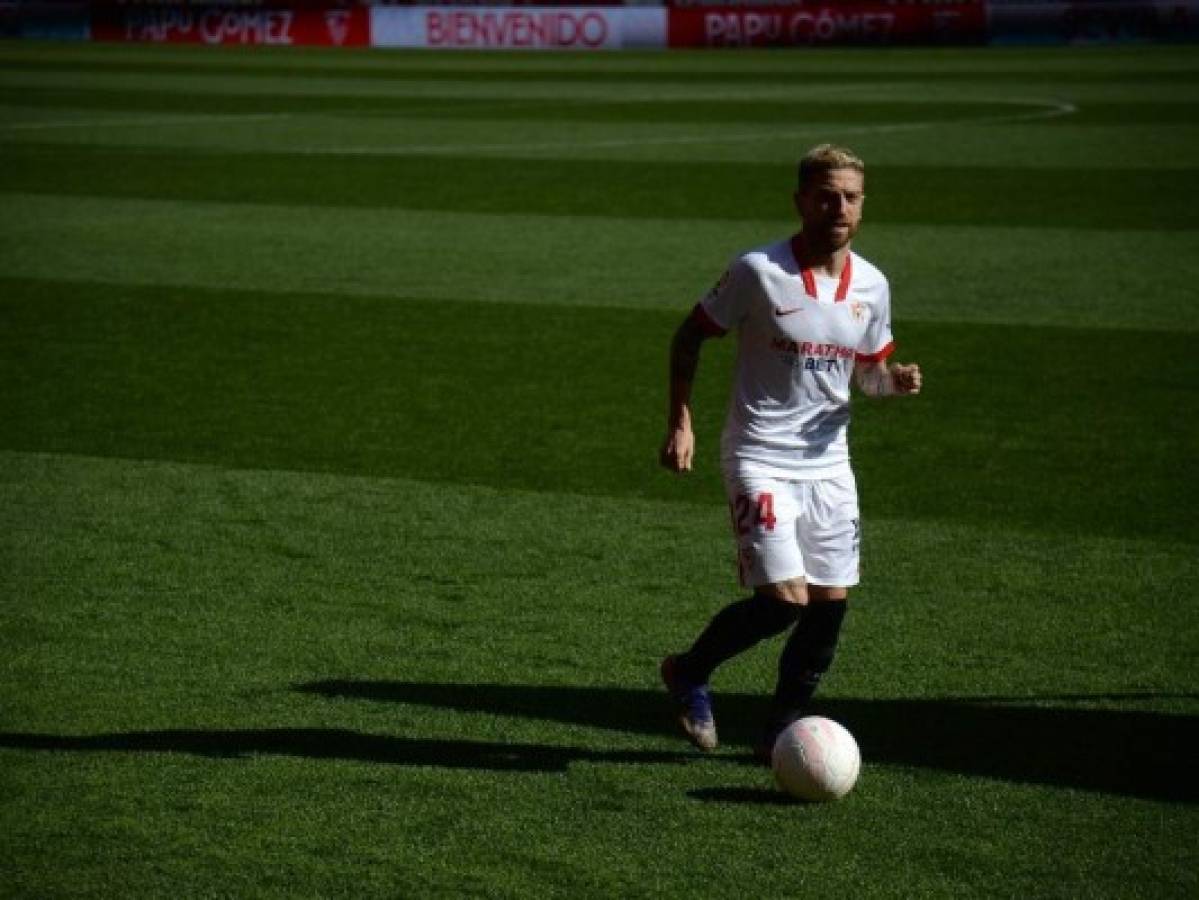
(1065, 741)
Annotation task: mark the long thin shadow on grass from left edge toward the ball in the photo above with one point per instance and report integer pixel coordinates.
(342, 745)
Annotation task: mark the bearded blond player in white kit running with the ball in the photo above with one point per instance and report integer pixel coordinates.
(809, 313)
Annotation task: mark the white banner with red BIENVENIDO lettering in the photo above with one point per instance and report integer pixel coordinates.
(519, 28)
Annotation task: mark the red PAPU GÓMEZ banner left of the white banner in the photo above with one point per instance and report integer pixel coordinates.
(269, 26)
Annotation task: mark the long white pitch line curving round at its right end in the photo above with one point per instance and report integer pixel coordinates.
(1050, 110)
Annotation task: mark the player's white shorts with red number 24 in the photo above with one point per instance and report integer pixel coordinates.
(796, 529)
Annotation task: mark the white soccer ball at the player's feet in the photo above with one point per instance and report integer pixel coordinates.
(816, 759)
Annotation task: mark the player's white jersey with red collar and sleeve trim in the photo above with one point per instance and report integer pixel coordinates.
(799, 335)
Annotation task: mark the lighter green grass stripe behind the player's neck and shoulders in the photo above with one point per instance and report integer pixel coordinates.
(959, 275)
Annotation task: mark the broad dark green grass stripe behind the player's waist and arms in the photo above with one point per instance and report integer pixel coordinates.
(1052, 428)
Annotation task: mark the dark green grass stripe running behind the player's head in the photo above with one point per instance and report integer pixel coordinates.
(966, 196)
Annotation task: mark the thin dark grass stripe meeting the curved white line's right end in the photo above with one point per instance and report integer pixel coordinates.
(846, 111)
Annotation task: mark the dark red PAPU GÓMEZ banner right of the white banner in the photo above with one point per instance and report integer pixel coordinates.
(847, 23)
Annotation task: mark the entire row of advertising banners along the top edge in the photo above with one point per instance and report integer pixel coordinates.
(605, 27)
